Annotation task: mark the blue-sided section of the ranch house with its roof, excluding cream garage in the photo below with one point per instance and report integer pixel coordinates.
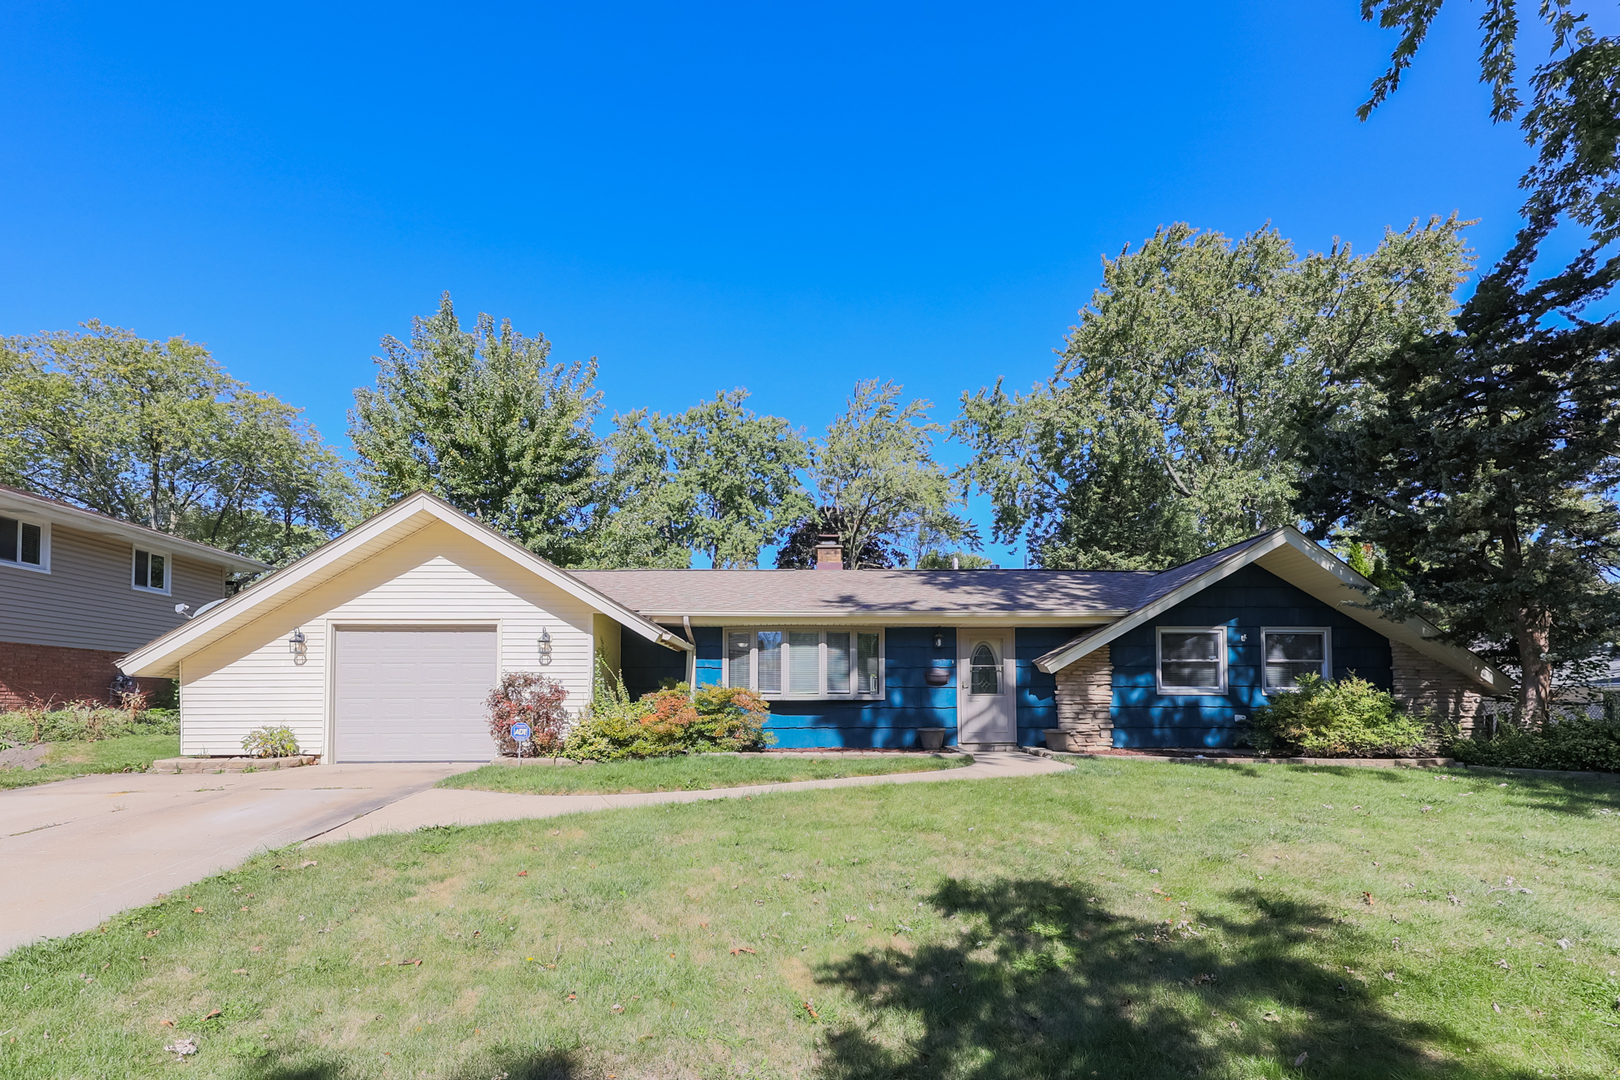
(1076, 660)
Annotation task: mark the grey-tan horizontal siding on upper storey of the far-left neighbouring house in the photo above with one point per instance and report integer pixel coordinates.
(88, 603)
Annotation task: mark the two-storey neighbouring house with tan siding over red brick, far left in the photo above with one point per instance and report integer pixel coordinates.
(80, 589)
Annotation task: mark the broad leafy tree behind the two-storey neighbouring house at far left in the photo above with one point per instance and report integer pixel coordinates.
(160, 435)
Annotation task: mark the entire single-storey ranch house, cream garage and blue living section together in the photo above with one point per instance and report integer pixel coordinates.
(385, 644)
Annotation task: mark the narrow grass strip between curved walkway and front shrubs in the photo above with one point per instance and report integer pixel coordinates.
(691, 773)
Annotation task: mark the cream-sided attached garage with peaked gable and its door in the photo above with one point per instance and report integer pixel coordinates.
(386, 644)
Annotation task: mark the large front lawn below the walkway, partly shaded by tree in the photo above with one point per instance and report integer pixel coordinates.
(1120, 921)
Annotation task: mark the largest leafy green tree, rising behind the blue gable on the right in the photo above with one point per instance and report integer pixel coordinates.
(1177, 417)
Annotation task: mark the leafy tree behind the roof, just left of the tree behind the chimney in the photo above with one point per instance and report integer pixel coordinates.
(718, 478)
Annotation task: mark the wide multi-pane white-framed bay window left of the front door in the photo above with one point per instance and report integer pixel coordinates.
(804, 663)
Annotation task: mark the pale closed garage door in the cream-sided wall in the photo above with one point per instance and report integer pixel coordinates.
(414, 695)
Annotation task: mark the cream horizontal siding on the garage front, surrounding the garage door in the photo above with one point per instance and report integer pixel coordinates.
(433, 577)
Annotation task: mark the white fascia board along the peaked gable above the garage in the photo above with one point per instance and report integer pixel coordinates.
(158, 658)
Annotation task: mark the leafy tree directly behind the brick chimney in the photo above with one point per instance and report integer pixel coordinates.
(877, 483)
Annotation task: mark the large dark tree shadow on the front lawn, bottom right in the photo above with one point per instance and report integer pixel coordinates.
(1041, 982)
